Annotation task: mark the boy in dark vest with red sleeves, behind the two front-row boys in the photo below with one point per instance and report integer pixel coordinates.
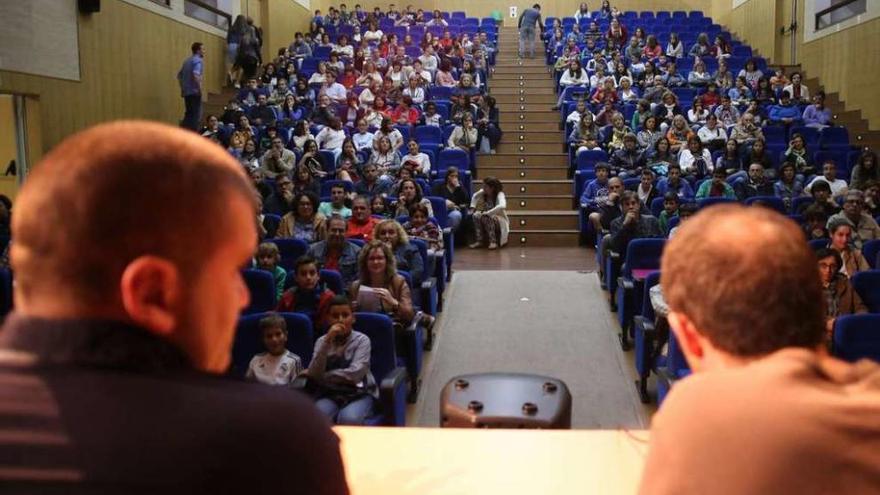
(308, 295)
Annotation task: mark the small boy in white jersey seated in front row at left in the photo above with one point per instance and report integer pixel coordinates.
(276, 366)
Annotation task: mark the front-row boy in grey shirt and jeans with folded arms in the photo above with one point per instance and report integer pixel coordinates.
(339, 374)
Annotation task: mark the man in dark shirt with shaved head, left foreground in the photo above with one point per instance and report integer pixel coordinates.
(126, 307)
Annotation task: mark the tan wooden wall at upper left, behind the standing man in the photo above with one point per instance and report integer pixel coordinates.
(129, 60)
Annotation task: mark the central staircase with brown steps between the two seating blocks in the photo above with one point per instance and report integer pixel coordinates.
(531, 160)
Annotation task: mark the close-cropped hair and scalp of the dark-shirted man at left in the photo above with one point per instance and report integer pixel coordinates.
(111, 194)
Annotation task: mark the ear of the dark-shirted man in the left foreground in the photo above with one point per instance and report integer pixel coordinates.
(151, 293)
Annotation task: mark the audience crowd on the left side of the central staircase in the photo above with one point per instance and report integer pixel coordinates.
(328, 133)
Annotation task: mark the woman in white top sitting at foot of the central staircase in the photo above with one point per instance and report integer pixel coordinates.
(491, 223)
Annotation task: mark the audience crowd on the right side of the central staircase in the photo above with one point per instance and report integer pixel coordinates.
(655, 165)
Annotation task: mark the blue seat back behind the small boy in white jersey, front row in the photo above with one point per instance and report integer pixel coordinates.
(249, 340)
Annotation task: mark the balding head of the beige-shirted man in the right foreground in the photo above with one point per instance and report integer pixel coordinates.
(746, 279)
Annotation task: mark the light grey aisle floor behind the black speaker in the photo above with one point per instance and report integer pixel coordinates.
(554, 323)
